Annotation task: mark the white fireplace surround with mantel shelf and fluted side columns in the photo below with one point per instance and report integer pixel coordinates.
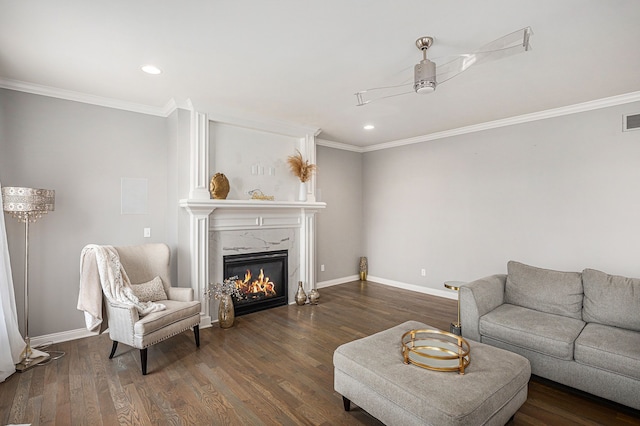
(221, 227)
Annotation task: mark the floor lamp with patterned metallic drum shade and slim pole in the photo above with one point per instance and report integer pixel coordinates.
(27, 205)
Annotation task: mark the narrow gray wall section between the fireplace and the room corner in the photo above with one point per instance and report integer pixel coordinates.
(340, 231)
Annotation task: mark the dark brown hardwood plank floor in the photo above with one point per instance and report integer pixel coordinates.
(272, 367)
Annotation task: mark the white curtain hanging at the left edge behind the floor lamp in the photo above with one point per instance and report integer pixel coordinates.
(11, 342)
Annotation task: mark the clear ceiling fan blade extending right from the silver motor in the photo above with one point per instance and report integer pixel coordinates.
(503, 47)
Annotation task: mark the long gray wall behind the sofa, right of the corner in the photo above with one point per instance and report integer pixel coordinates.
(561, 193)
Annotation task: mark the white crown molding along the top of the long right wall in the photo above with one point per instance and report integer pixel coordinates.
(526, 118)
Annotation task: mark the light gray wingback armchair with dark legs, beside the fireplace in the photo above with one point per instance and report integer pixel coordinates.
(142, 264)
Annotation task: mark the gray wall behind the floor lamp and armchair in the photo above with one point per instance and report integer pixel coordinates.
(81, 151)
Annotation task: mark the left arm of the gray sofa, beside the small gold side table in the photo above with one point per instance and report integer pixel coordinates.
(478, 298)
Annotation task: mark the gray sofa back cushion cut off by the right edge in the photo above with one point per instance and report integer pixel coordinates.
(611, 299)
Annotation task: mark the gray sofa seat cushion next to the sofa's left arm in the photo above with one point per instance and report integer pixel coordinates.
(548, 334)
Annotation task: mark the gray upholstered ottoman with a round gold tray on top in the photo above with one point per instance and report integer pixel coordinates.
(371, 373)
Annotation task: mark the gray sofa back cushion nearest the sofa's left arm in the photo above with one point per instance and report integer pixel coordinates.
(544, 290)
